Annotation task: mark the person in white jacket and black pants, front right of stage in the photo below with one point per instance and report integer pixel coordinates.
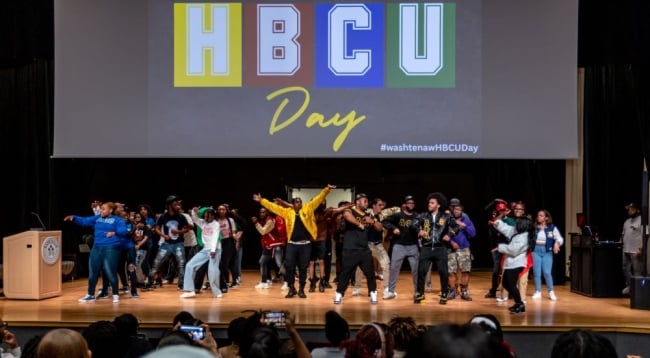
(515, 251)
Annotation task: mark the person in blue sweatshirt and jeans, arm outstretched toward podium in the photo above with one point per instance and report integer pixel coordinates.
(105, 252)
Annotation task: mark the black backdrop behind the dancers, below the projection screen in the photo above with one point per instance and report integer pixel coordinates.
(76, 182)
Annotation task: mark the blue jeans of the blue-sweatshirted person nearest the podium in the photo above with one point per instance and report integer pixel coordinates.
(106, 258)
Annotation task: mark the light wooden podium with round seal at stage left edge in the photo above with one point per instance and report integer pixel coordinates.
(32, 265)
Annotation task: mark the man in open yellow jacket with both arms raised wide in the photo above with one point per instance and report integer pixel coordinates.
(301, 231)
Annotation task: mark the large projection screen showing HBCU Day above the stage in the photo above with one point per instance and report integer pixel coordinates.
(386, 79)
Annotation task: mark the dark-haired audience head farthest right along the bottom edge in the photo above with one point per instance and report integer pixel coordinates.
(582, 343)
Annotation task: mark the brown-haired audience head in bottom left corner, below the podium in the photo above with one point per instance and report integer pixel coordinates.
(63, 343)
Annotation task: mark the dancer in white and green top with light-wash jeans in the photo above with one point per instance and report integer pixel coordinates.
(211, 252)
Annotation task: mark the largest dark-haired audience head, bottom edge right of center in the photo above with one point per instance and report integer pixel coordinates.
(457, 341)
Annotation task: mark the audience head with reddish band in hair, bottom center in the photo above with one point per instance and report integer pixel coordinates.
(372, 340)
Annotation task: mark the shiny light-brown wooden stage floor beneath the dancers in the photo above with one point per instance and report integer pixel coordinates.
(156, 308)
